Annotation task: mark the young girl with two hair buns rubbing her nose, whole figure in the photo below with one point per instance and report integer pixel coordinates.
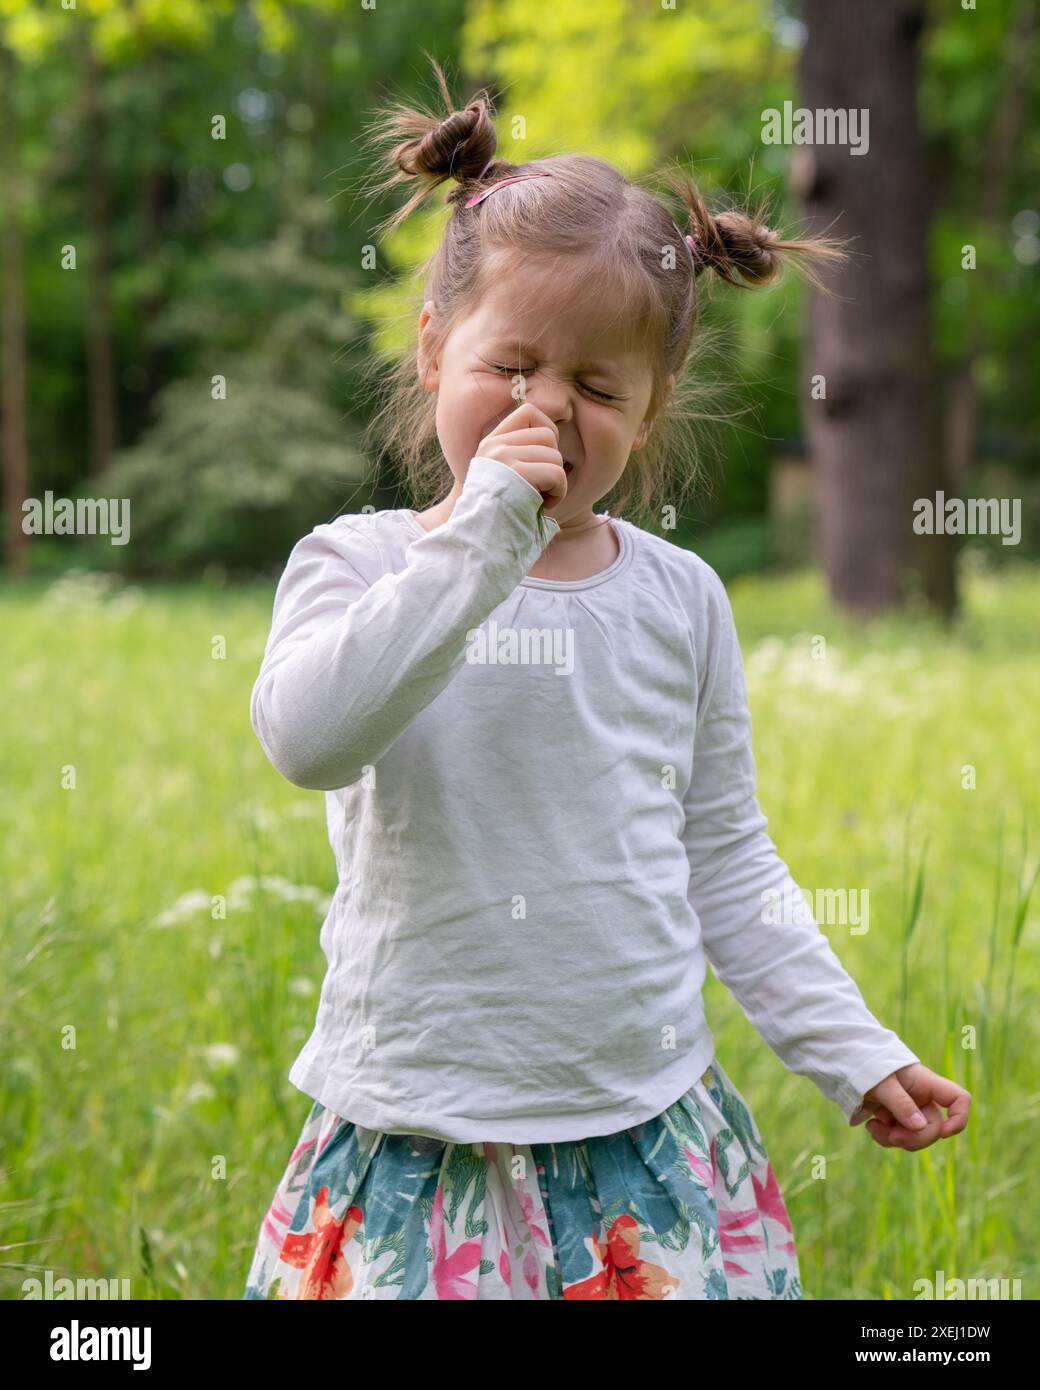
(532, 728)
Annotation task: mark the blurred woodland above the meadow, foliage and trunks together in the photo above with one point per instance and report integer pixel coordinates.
(180, 205)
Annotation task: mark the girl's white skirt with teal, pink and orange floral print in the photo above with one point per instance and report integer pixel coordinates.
(685, 1206)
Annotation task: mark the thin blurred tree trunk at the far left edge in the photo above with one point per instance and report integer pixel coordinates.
(15, 408)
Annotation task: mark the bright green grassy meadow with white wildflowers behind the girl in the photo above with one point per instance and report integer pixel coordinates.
(152, 1146)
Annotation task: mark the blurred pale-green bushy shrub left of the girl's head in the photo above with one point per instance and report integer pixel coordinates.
(248, 454)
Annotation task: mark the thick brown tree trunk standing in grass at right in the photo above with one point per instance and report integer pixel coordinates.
(877, 439)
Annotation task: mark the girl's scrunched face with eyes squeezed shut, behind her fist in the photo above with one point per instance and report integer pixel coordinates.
(569, 361)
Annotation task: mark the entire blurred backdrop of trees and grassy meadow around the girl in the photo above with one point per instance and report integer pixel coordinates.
(179, 208)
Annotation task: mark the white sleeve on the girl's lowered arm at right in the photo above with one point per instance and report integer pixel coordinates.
(785, 975)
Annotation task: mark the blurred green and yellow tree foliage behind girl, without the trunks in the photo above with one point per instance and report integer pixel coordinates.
(223, 266)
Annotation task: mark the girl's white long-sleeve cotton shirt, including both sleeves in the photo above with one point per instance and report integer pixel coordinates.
(542, 801)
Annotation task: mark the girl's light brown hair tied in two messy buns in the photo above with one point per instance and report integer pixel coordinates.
(637, 251)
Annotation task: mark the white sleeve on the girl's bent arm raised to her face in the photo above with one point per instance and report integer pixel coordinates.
(350, 665)
